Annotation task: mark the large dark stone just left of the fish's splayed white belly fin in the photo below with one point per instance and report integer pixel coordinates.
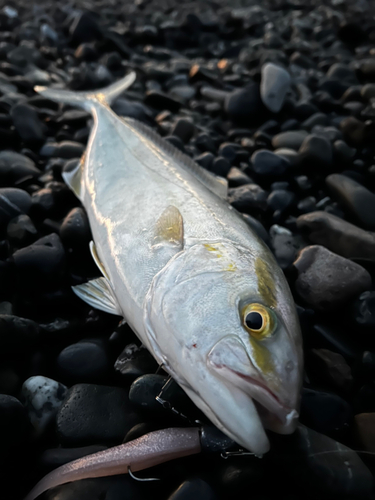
(42, 264)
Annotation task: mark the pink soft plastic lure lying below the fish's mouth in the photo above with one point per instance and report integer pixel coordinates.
(146, 451)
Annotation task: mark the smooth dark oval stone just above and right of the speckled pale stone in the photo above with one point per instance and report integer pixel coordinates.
(85, 361)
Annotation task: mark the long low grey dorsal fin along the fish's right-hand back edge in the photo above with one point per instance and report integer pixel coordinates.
(217, 185)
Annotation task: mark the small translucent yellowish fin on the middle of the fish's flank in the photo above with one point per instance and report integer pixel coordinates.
(170, 228)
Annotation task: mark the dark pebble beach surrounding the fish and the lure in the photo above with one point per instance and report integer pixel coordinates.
(279, 97)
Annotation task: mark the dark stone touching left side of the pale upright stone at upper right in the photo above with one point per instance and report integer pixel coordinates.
(245, 104)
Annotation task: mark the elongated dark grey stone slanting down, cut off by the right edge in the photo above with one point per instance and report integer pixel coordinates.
(356, 199)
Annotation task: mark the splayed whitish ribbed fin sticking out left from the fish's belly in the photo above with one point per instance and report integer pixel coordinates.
(98, 294)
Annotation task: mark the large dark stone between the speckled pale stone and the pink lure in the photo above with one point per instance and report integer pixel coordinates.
(95, 414)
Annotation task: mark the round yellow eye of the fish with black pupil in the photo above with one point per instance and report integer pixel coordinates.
(258, 320)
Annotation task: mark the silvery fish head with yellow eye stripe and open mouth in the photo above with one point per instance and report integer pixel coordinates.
(224, 323)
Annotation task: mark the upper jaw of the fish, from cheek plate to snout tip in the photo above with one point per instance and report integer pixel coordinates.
(229, 360)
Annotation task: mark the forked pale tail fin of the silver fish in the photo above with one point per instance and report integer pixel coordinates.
(88, 100)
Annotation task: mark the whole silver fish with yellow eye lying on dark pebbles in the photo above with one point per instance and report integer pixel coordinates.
(197, 285)
